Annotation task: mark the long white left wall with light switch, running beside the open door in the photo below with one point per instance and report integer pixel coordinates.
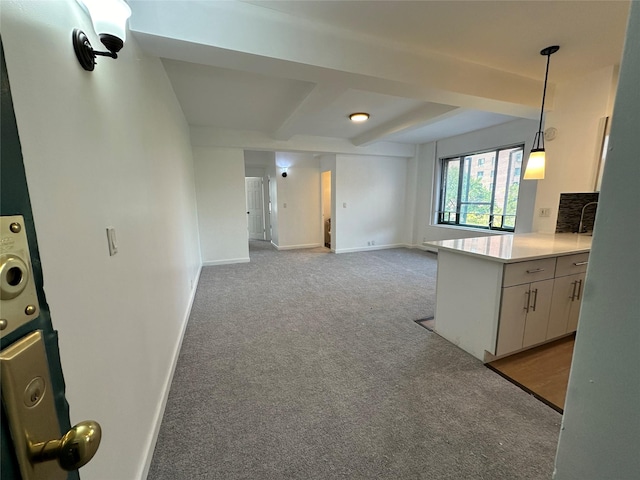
(106, 148)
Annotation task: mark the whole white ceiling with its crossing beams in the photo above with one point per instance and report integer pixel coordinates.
(425, 70)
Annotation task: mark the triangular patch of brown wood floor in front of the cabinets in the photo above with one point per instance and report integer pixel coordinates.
(542, 371)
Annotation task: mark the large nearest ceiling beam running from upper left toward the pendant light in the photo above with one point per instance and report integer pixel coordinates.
(231, 35)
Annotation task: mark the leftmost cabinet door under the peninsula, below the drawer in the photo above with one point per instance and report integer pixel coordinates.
(513, 313)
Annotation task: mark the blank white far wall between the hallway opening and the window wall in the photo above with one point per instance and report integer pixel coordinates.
(373, 189)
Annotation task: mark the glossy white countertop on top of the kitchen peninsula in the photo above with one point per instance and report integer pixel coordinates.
(517, 247)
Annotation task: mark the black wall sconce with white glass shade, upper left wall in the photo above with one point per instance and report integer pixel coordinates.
(109, 19)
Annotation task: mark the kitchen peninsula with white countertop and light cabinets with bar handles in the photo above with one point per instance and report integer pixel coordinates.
(501, 294)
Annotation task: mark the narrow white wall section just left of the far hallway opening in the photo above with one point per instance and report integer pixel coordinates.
(222, 213)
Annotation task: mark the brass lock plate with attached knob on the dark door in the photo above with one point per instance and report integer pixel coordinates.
(33, 422)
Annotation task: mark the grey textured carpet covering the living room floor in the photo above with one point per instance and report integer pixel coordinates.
(308, 365)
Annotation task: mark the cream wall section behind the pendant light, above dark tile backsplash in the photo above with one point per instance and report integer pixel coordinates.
(572, 157)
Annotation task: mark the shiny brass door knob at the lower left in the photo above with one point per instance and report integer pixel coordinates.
(73, 450)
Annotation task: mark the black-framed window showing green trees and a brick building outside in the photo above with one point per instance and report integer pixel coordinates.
(481, 195)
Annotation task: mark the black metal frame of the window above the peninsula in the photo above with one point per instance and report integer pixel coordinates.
(443, 170)
